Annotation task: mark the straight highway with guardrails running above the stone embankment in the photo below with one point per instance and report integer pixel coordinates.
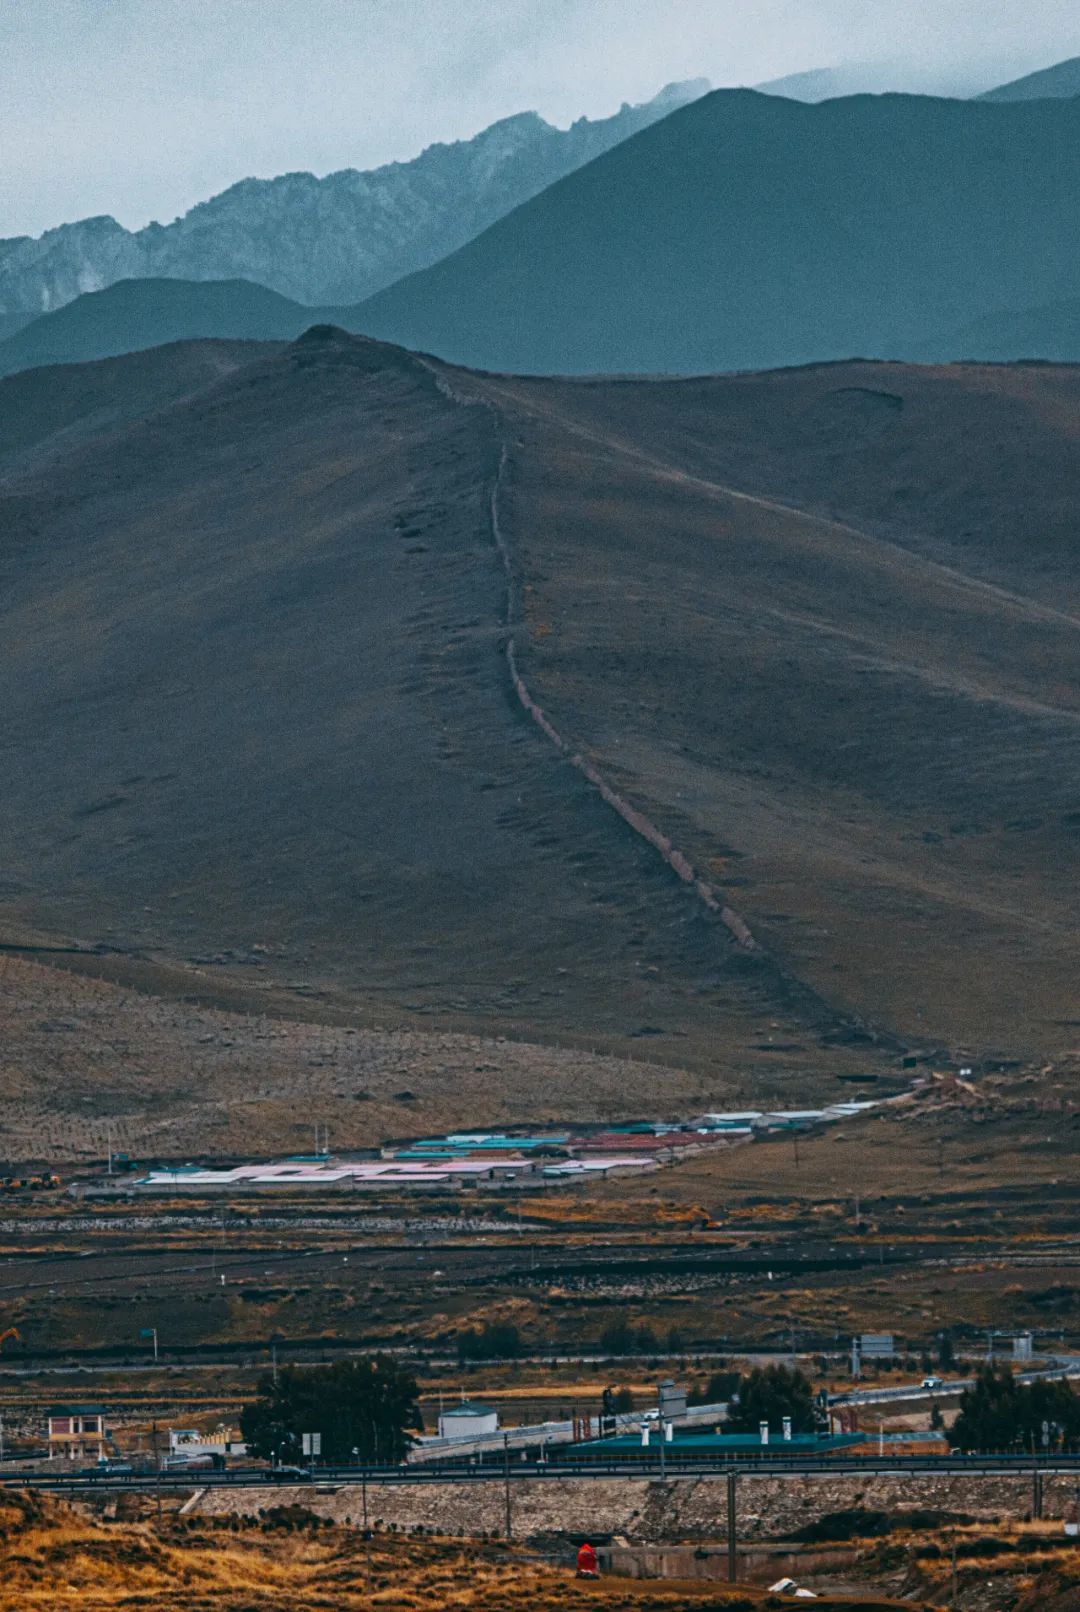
(504, 1471)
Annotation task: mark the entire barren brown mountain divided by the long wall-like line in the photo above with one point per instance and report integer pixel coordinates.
(262, 744)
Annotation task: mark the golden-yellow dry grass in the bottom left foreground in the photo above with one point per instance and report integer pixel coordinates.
(52, 1558)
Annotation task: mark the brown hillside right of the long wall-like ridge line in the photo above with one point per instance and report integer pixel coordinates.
(862, 717)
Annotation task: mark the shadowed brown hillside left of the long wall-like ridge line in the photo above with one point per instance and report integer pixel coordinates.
(257, 725)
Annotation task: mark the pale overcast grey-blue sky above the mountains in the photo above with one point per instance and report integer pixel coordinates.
(143, 107)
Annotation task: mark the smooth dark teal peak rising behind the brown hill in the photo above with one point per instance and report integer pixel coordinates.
(749, 231)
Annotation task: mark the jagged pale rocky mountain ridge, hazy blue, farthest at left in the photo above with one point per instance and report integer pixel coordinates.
(325, 241)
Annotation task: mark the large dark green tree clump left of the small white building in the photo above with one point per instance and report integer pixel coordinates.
(367, 1406)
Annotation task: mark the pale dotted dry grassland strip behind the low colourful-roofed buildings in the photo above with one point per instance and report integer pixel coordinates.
(85, 1058)
